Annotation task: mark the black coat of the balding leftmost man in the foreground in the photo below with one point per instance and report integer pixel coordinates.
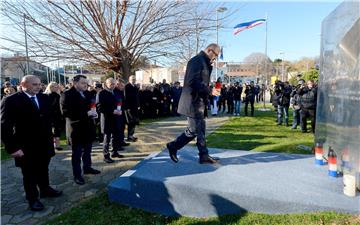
(25, 127)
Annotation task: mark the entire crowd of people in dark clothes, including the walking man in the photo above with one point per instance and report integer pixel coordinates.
(34, 116)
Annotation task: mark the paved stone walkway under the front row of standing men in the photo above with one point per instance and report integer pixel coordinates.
(152, 138)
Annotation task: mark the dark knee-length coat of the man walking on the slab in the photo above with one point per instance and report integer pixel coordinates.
(195, 93)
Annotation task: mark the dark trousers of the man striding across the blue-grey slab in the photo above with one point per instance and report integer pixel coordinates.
(196, 128)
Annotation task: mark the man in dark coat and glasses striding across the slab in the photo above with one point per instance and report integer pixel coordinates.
(193, 103)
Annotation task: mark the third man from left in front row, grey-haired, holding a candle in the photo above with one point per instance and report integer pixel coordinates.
(109, 103)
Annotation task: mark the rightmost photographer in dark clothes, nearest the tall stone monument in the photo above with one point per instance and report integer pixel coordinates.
(308, 97)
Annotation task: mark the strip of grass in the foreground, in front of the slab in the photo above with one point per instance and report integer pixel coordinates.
(99, 210)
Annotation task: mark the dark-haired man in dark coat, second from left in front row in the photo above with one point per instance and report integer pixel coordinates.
(80, 109)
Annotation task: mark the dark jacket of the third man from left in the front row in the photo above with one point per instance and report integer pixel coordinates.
(106, 103)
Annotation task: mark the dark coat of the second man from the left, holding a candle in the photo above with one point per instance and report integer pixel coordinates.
(75, 108)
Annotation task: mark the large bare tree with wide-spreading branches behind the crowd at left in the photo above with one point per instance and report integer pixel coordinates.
(112, 34)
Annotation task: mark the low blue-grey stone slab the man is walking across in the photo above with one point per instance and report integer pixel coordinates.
(261, 182)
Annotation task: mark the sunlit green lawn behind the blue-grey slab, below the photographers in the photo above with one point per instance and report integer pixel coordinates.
(260, 133)
